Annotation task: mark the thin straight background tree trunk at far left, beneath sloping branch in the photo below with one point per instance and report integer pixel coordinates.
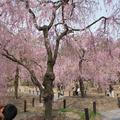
(16, 83)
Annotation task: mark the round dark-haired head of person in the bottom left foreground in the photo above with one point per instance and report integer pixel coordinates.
(9, 112)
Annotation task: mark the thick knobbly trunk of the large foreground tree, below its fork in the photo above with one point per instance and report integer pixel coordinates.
(48, 94)
